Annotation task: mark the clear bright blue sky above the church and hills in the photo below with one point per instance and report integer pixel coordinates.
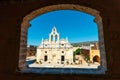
(75, 25)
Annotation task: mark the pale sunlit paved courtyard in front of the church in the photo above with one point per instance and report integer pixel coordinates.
(83, 65)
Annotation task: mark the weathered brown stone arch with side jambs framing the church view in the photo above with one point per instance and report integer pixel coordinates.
(25, 25)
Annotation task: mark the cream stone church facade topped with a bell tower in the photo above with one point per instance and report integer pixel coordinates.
(54, 50)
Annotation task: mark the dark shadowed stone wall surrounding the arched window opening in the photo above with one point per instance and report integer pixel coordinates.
(11, 17)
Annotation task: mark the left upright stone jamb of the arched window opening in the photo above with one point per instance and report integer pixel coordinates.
(23, 46)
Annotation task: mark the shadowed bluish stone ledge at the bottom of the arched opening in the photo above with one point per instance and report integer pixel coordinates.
(45, 71)
